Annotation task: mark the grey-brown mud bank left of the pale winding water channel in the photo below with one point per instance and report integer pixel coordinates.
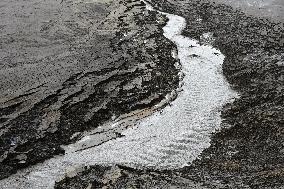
(68, 66)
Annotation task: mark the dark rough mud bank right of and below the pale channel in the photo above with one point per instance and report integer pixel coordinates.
(249, 154)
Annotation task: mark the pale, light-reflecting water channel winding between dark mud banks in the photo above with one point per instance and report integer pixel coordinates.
(168, 139)
